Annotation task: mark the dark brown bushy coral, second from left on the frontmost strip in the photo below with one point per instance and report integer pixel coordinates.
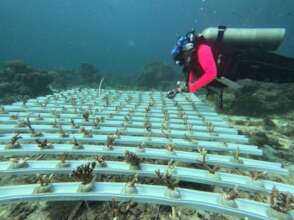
(84, 173)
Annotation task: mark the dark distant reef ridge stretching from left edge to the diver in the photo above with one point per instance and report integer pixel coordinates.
(20, 81)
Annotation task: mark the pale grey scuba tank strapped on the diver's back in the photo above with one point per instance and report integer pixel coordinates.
(268, 39)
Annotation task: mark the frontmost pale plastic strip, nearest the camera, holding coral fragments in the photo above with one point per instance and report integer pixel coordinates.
(144, 194)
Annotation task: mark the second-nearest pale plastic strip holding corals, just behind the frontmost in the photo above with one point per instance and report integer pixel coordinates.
(148, 170)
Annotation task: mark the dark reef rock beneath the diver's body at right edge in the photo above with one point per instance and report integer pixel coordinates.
(259, 99)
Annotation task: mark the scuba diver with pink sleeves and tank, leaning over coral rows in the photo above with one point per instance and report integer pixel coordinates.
(219, 56)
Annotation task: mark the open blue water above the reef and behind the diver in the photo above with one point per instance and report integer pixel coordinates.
(123, 35)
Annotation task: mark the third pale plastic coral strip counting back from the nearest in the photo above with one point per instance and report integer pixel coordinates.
(149, 153)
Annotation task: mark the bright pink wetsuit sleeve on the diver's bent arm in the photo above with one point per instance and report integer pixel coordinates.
(206, 61)
